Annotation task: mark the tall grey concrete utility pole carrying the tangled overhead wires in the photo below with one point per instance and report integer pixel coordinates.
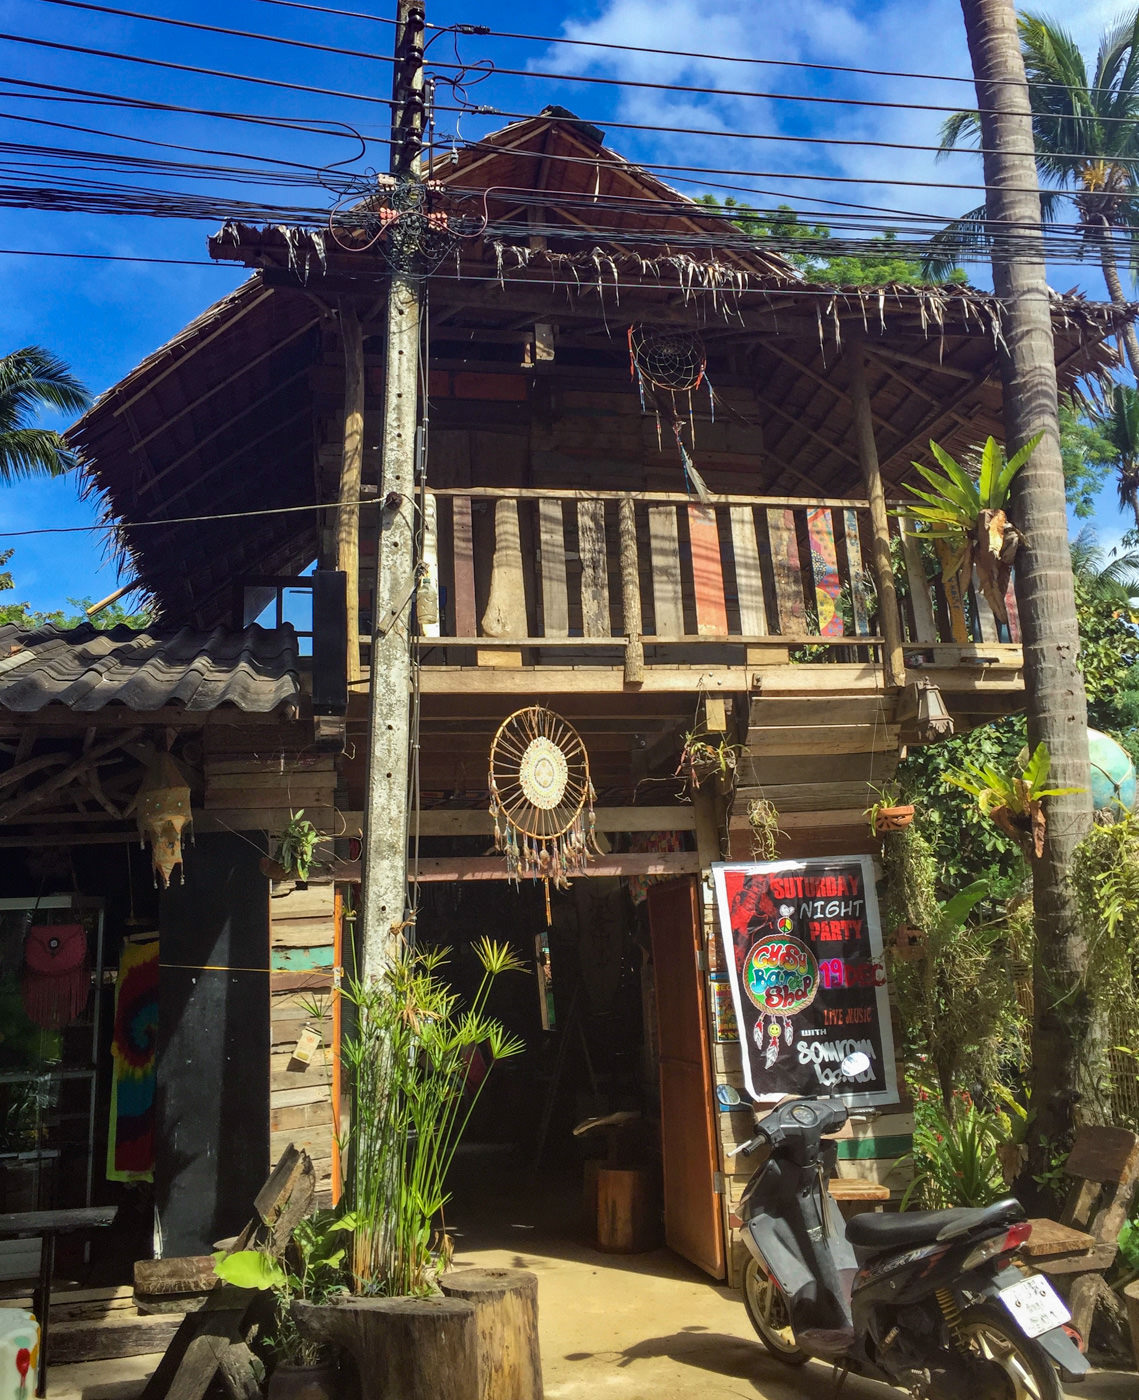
(385, 803)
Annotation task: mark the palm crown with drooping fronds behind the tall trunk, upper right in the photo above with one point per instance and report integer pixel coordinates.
(1087, 136)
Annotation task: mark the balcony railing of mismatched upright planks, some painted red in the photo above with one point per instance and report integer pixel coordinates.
(560, 569)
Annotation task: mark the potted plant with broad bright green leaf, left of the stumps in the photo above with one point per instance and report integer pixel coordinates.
(311, 1270)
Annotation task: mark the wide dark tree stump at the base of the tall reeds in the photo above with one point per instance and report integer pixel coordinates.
(405, 1349)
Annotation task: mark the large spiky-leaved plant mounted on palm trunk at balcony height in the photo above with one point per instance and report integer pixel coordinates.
(970, 514)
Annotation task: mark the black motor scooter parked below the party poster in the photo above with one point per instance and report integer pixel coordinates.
(928, 1301)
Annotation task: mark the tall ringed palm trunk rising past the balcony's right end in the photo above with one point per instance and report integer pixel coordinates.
(1057, 705)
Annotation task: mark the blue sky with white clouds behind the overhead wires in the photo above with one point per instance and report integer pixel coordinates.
(104, 318)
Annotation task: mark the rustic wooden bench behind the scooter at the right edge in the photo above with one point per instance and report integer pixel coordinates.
(1077, 1249)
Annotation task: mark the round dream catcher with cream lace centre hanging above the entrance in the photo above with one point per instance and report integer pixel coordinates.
(541, 799)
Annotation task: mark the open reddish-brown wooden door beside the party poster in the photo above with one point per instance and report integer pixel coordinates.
(693, 1217)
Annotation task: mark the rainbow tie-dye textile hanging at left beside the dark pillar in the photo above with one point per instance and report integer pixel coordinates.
(131, 1140)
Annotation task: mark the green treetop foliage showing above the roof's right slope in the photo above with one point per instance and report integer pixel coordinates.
(805, 247)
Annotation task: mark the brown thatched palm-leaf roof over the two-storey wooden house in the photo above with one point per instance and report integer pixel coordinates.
(229, 416)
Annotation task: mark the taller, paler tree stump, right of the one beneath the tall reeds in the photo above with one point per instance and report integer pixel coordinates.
(506, 1303)
